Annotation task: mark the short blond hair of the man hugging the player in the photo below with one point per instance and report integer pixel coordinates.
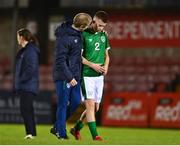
(82, 20)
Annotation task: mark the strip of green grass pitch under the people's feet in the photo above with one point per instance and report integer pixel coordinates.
(11, 134)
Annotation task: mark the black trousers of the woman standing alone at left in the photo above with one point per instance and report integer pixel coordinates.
(27, 112)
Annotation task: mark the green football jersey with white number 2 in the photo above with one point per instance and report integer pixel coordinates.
(94, 50)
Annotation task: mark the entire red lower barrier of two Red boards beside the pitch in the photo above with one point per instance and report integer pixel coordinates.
(141, 110)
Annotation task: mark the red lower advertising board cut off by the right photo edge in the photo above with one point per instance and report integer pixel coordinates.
(165, 110)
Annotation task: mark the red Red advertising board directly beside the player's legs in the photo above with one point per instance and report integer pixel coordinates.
(124, 109)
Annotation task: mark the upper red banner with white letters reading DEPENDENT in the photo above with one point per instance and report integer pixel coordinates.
(141, 30)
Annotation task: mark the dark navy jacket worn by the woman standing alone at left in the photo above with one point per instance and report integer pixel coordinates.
(27, 69)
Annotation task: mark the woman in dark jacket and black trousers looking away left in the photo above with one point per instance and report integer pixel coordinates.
(26, 81)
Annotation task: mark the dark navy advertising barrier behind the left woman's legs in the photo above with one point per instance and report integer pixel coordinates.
(10, 107)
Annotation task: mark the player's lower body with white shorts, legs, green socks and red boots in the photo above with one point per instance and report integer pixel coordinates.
(75, 131)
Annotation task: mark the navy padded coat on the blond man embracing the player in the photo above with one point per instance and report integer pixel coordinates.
(68, 62)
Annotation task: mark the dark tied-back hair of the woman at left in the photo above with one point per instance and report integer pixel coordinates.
(28, 36)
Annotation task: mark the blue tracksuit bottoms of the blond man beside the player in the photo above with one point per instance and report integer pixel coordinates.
(69, 99)
